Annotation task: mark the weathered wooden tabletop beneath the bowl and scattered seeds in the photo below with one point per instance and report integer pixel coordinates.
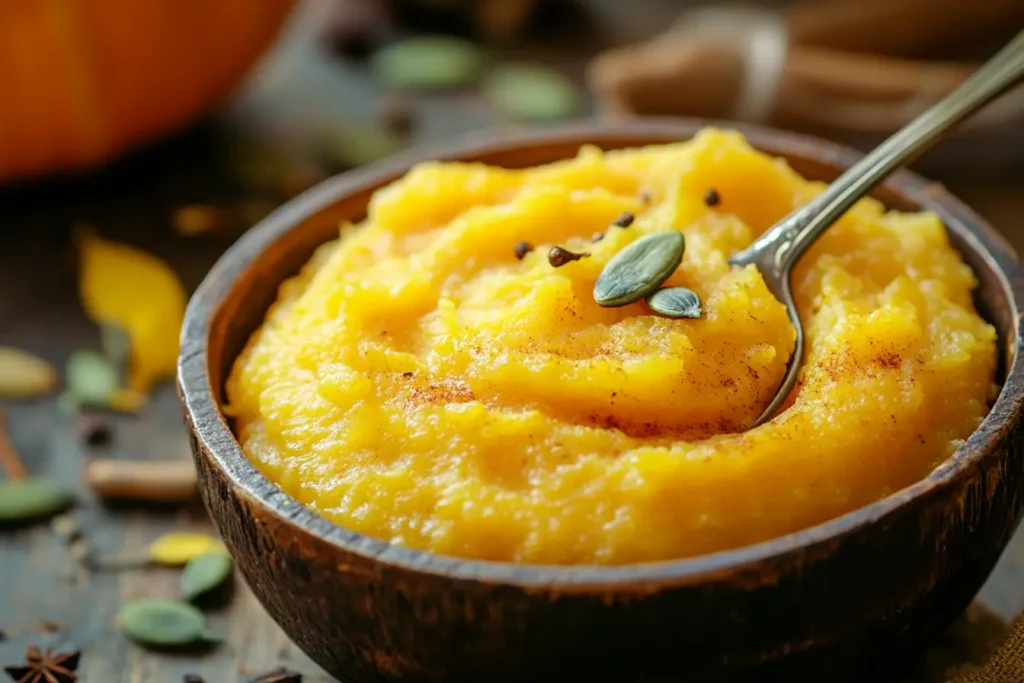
(39, 311)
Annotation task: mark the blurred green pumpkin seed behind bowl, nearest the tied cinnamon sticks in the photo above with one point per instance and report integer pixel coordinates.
(527, 93)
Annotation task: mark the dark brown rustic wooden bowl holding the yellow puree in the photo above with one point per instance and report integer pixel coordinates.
(881, 578)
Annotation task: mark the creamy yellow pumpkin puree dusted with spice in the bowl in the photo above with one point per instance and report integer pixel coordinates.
(418, 383)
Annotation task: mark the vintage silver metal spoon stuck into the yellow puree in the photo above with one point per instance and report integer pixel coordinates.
(777, 252)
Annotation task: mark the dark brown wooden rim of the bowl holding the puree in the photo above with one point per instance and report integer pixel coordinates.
(214, 432)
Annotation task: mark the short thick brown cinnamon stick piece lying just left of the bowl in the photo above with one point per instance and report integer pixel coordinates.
(146, 481)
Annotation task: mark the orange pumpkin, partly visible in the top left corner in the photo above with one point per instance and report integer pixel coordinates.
(81, 81)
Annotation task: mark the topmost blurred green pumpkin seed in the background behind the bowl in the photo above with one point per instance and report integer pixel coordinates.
(429, 63)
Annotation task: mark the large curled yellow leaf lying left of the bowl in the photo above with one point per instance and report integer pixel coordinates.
(129, 288)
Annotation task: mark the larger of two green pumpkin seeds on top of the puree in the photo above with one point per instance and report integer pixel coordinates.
(639, 270)
